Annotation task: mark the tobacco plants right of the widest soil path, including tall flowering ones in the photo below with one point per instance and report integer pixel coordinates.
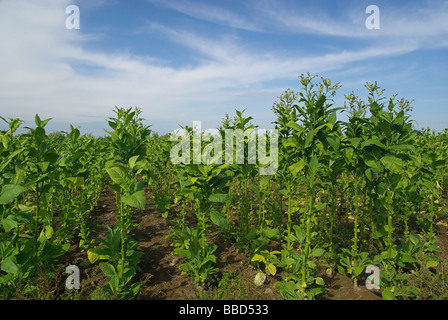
(349, 196)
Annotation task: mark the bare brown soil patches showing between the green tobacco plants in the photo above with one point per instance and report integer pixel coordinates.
(163, 280)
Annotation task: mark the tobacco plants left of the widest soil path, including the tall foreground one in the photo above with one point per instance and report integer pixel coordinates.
(50, 183)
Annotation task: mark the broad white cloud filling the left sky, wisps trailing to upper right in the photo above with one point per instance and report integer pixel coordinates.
(41, 67)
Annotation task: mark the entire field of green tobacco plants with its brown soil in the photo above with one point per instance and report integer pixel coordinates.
(361, 199)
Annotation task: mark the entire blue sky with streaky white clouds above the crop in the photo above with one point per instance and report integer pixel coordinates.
(183, 61)
